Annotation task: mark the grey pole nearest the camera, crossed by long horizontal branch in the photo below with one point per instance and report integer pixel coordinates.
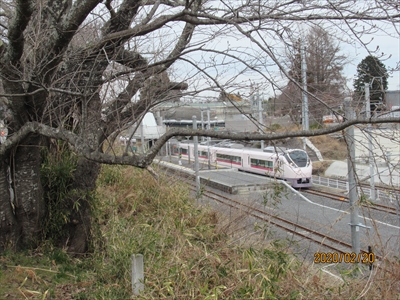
(353, 196)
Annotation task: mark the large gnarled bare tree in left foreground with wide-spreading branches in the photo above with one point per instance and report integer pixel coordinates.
(58, 59)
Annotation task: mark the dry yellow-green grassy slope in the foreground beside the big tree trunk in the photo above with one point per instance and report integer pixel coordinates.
(189, 253)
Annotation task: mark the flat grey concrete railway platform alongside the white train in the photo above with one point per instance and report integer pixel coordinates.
(229, 180)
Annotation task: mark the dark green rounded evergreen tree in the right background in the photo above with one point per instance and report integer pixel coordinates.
(373, 72)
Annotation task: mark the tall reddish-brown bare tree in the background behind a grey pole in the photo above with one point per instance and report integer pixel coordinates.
(325, 80)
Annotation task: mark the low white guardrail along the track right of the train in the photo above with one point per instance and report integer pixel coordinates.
(381, 193)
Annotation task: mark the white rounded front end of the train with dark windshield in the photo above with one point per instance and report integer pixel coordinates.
(298, 168)
